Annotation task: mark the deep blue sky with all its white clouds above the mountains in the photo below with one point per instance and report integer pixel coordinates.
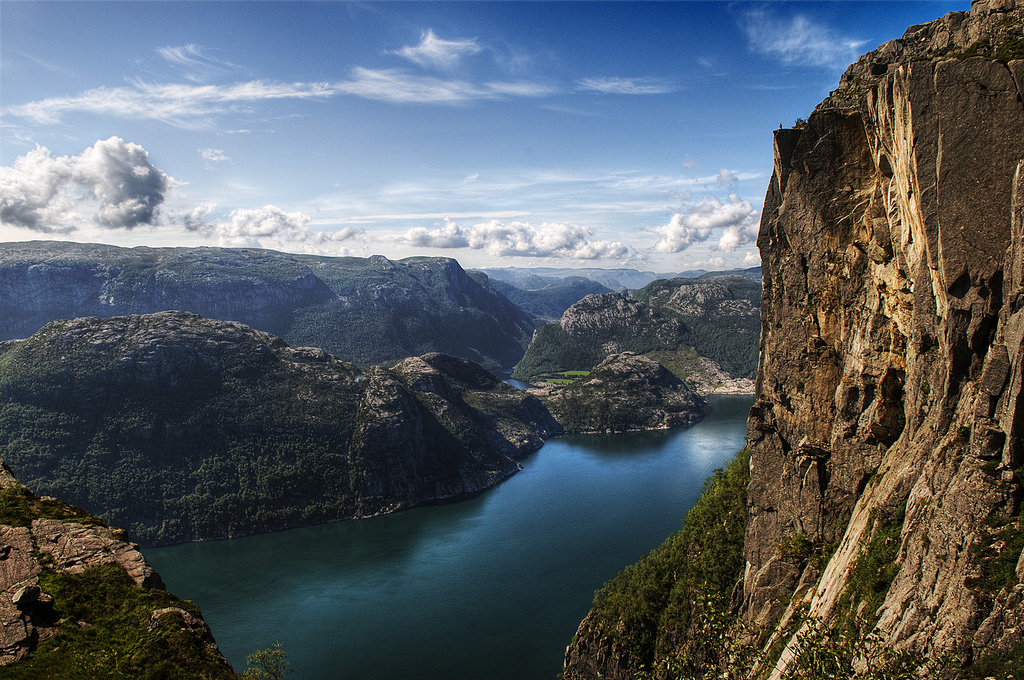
(589, 135)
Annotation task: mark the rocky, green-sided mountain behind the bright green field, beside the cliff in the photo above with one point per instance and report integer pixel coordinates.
(704, 330)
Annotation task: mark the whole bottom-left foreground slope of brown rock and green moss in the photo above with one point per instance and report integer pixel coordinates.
(78, 602)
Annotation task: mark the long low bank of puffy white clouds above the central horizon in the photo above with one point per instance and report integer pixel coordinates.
(522, 240)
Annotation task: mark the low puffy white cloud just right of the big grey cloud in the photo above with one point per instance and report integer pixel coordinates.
(251, 227)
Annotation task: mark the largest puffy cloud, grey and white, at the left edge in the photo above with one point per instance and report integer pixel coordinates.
(113, 182)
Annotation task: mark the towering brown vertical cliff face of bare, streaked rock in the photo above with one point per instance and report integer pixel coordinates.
(890, 384)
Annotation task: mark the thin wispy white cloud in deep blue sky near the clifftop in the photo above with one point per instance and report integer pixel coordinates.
(799, 41)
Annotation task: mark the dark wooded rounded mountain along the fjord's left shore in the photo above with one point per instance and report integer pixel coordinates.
(179, 428)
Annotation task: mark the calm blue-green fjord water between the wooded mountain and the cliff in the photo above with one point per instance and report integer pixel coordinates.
(490, 587)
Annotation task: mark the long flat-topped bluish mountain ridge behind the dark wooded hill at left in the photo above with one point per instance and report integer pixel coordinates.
(366, 311)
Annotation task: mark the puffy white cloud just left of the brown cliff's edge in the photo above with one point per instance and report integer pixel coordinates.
(737, 220)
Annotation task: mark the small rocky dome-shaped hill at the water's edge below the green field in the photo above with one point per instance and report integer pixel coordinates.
(626, 393)
